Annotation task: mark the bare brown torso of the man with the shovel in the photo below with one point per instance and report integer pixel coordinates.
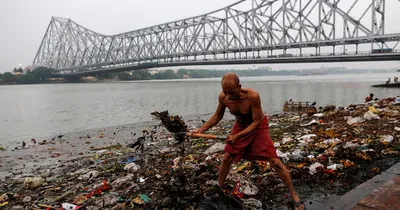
(241, 107)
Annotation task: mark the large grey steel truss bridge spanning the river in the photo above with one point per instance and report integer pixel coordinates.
(246, 32)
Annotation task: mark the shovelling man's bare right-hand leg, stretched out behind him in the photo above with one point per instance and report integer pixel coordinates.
(283, 173)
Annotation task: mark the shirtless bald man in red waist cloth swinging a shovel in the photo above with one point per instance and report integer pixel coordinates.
(249, 138)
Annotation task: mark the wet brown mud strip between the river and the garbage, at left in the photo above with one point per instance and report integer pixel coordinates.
(16, 159)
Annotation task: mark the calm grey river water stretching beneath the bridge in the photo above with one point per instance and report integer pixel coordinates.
(32, 111)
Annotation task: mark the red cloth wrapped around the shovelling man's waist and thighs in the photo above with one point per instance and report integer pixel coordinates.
(257, 145)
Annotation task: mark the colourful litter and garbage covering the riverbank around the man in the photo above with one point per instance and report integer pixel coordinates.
(329, 152)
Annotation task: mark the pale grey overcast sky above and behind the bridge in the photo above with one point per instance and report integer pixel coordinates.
(23, 23)
